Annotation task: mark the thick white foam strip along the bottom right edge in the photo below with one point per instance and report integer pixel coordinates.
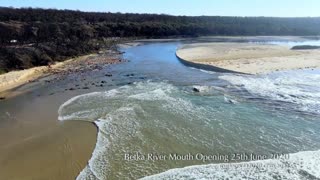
(302, 165)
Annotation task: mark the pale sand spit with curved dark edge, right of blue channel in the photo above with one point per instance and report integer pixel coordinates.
(249, 58)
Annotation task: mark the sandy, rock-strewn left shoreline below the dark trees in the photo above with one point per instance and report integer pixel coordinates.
(11, 82)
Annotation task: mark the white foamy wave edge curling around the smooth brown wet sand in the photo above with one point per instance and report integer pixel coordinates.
(117, 114)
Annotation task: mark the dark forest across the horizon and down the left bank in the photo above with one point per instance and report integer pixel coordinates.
(32, 37)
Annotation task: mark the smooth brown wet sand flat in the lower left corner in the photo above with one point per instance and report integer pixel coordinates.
(35, 145)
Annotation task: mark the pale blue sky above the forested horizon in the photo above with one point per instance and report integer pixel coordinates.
(280, 8)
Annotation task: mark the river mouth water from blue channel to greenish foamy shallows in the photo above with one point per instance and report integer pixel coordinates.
(161, 115)
